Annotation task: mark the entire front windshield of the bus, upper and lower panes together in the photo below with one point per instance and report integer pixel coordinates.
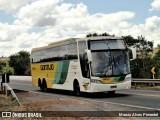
(109, 58)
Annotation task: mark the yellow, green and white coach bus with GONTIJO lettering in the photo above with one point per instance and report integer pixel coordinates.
(93, 64)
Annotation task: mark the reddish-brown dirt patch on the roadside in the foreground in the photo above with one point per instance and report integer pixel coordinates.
(34, 101)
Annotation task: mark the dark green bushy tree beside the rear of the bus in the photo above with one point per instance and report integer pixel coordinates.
(20, 62)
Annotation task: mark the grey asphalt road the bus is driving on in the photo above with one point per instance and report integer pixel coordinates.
(146, 99)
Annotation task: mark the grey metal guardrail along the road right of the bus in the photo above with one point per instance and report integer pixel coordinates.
(149, 81)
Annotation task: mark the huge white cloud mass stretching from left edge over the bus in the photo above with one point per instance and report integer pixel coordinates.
(58, 21)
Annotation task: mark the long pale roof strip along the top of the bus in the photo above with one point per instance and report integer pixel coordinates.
(73, 40)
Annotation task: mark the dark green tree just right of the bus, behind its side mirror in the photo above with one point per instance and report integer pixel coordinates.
(141, 66)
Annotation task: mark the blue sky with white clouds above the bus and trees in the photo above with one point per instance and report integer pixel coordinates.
(26, 24)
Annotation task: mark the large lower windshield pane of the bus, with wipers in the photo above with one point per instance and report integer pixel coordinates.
(110, 63)
